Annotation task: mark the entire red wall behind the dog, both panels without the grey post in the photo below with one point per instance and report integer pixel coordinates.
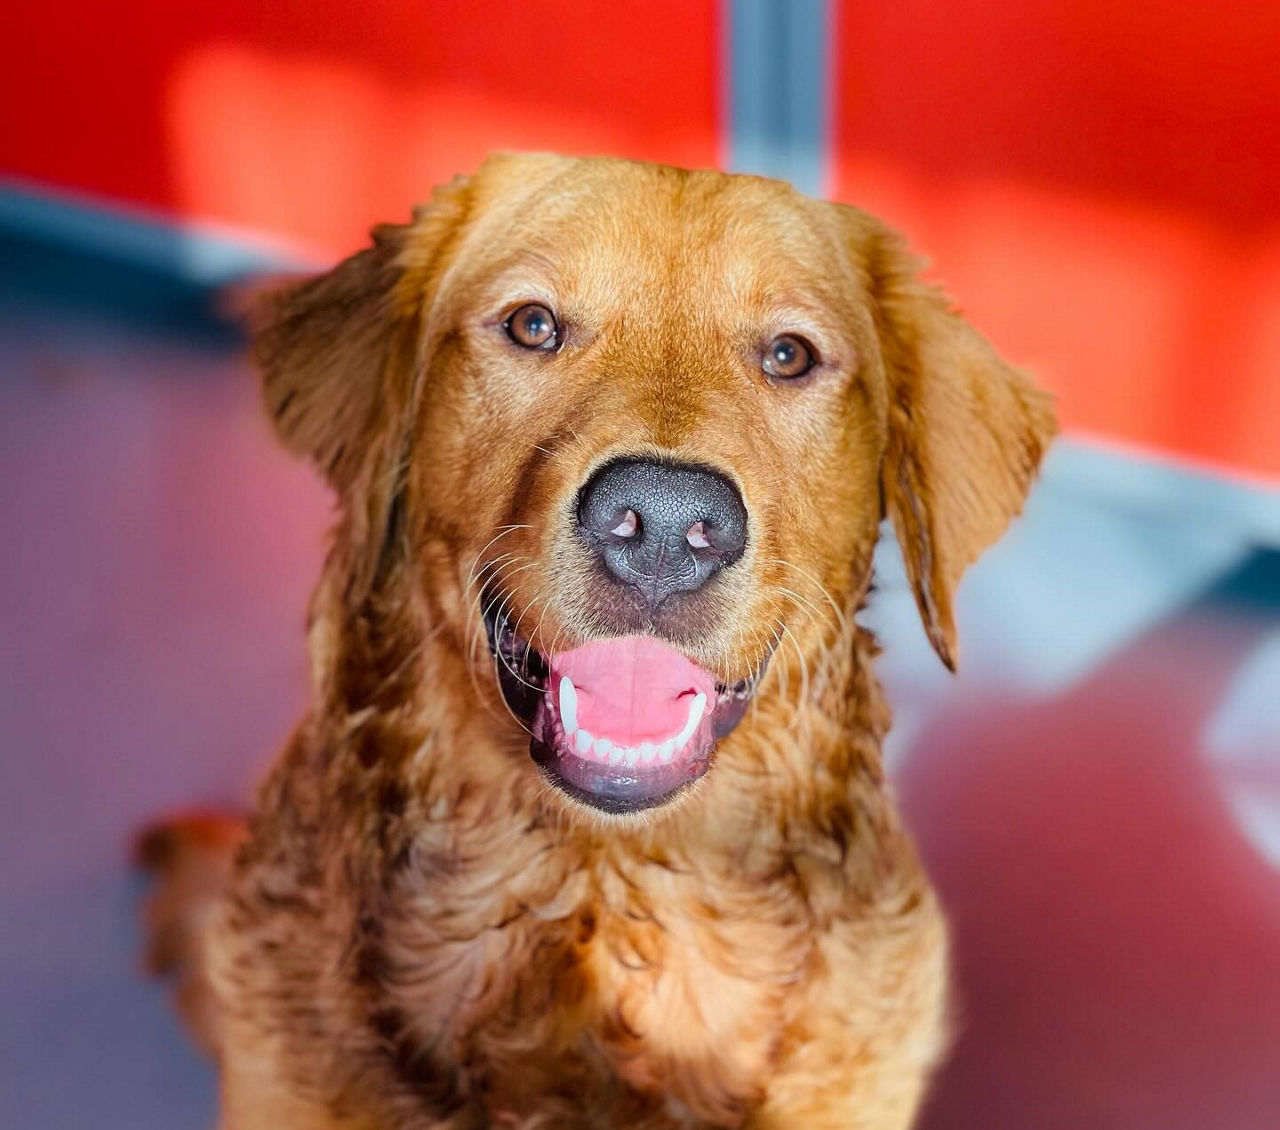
(1098, 180)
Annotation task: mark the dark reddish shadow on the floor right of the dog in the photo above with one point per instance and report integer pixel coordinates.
(1118, 936)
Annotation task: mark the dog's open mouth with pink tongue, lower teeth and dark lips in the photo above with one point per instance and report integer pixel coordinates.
(624, 724)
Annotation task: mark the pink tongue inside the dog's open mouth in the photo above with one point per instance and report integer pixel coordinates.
(633, 689)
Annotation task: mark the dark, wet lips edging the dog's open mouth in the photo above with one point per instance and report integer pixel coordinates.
(523, 675)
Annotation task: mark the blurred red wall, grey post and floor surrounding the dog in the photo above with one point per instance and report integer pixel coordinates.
(1098, 181)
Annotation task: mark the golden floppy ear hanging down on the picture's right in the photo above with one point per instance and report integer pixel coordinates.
(967, 433)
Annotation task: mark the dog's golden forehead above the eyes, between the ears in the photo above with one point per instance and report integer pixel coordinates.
(623, 227)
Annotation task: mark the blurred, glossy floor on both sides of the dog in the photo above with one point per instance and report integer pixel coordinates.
(1098, 794)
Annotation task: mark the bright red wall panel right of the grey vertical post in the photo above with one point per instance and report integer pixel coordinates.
(1100, 182)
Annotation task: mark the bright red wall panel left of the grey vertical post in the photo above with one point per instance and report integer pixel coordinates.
(317, 118)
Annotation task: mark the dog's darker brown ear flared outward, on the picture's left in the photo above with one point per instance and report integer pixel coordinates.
(337, 353)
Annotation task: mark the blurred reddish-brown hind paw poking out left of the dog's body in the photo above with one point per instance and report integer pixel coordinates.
(190, 857)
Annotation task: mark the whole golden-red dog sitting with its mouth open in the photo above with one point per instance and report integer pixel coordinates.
(588, 825)
